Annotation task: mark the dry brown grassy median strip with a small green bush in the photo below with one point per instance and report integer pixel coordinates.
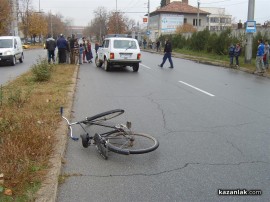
(29, 116)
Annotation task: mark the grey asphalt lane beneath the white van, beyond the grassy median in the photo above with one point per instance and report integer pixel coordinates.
(8, 73)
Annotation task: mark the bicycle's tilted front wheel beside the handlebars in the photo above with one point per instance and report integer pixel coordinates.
(105, 115)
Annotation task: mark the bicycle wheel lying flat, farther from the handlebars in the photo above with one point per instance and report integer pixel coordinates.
(118, 143)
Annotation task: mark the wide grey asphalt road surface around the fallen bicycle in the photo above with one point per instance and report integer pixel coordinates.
(212, 124)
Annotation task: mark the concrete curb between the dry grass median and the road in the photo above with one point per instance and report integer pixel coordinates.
(48, 191)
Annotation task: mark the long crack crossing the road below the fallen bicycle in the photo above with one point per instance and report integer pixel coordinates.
(166, 171)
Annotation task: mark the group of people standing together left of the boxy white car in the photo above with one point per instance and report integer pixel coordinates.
(70, 51)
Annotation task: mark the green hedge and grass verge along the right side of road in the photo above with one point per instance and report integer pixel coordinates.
(212, 46)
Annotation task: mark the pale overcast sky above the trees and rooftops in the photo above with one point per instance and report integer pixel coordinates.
(81, 11)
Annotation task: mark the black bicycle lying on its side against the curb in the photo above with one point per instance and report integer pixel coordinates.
(119, 138)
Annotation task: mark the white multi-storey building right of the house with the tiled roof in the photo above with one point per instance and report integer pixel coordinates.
(218, 19)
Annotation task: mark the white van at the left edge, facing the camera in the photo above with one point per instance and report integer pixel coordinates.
(11, 49)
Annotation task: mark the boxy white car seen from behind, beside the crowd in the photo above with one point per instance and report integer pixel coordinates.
(119, 52)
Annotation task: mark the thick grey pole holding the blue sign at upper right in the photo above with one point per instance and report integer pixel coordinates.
(248, 55)
